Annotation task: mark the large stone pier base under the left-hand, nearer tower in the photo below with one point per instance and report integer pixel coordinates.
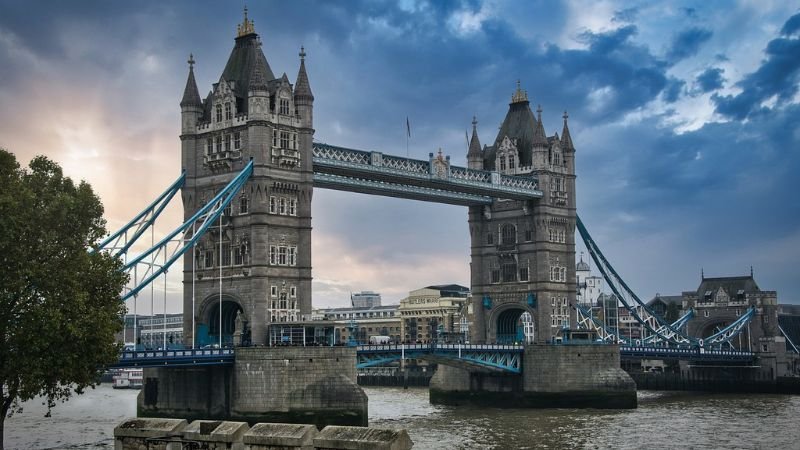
(279, 384)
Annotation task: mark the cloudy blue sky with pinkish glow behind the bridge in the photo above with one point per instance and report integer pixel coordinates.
(684, 115)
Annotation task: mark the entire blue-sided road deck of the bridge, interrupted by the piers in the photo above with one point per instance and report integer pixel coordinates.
(476, 357)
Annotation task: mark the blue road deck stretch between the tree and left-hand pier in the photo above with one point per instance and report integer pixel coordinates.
(172, 358)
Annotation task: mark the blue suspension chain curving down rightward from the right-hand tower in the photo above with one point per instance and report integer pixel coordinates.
(651, 321)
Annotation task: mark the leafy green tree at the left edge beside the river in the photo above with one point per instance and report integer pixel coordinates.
(60, 306)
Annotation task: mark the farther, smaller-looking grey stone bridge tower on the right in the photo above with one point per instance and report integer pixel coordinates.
(523, 252)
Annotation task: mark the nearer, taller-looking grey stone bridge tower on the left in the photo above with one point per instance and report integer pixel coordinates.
(257, 258)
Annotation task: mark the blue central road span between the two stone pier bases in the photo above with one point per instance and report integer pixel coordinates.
(498, 358)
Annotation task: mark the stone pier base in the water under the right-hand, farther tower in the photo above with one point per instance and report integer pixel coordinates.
(554, 376)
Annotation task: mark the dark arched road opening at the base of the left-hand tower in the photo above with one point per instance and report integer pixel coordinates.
(208, 319)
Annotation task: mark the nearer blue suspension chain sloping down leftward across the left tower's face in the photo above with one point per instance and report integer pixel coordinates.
(180, 240)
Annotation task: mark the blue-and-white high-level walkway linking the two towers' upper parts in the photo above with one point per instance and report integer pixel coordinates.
(433, 180)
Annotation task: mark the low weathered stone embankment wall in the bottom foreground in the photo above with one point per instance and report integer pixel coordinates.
(169, 434)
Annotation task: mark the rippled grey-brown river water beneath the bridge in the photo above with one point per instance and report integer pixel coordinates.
(663, 420)
